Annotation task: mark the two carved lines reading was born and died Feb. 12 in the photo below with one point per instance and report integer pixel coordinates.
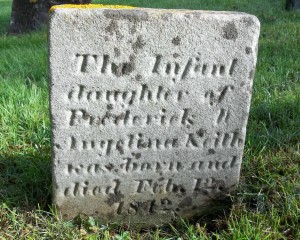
(152, 186)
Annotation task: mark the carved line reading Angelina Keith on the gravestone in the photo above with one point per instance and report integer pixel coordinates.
(198, 140)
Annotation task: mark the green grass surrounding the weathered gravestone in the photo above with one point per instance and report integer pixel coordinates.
(266, 204)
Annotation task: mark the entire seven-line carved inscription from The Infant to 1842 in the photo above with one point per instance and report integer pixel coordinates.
(137, 143)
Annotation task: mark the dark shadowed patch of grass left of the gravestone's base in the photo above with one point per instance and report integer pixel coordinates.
(25, 181)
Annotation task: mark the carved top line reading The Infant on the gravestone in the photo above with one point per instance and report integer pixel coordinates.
(194, 66)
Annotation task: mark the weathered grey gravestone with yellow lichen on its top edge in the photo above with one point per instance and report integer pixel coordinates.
(149, 110)
